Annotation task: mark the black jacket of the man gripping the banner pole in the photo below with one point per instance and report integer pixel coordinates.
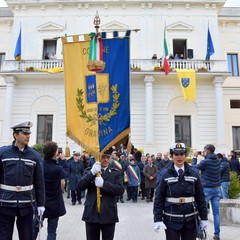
(112, 187)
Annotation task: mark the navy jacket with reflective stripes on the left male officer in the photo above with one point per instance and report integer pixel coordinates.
(21, 168)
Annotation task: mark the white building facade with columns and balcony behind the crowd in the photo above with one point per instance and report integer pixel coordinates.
(159, 113)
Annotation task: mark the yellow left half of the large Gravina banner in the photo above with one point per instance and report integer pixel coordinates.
(75, 70)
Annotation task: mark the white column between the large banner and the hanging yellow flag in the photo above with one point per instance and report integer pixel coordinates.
(149, 147)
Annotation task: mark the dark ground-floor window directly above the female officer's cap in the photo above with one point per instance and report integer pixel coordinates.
(183, 130)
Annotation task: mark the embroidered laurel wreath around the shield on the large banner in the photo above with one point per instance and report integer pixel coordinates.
(93, 119)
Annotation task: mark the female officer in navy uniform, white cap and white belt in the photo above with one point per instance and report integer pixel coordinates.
(180, 200)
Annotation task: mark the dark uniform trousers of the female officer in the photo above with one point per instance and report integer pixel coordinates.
(183, 234)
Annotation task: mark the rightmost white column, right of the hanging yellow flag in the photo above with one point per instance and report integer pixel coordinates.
(220, 141)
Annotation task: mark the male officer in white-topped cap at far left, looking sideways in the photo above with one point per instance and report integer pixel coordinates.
(21, 184)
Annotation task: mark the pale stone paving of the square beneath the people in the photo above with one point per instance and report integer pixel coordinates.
(136, 223)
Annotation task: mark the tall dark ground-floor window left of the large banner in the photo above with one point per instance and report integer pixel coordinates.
(44, 128)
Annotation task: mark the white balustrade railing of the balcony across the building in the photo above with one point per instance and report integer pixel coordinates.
(137, 65)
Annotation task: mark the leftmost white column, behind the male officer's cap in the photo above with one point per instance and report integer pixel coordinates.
(10, 81)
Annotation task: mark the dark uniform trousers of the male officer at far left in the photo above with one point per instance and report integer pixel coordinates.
(24, 226)
